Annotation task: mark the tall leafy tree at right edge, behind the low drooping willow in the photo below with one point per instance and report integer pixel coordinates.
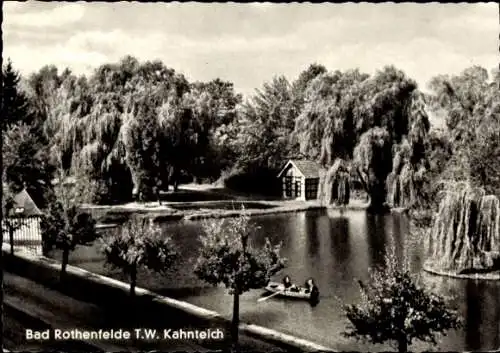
(470, 103)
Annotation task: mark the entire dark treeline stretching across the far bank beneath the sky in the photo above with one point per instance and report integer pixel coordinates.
(134, 128)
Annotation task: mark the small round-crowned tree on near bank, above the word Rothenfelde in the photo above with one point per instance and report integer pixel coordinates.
(139, 244)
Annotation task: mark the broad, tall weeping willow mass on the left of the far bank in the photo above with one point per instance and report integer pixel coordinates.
(136, 127)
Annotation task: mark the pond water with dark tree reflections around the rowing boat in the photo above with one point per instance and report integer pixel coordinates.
(335, 250)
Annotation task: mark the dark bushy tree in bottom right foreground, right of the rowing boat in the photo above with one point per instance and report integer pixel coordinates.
(394, 308)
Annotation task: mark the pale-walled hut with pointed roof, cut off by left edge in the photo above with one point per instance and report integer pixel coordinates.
(24, 218)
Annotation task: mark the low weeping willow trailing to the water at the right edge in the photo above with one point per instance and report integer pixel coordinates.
(465, 236)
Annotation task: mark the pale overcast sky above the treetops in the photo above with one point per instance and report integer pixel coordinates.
(249, 43)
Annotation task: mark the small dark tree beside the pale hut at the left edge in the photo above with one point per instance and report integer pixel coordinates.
(65, 225)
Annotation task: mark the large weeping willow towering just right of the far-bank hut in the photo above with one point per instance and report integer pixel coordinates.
(341, 108)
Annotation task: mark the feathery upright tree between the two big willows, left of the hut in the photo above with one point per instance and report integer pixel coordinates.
(262, 138)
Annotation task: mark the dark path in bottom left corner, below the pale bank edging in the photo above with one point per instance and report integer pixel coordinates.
(26, 298)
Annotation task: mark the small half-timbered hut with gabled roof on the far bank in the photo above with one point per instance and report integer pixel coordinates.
(300, 180)
